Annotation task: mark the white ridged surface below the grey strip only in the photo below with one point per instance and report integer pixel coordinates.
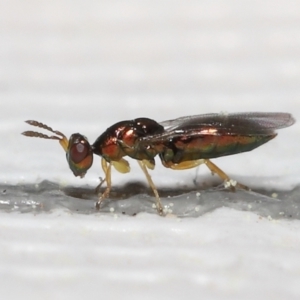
(225, 255)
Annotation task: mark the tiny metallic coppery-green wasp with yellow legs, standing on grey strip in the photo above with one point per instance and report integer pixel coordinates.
(181, 143)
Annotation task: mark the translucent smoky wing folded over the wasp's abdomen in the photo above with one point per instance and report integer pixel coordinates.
(252, 123)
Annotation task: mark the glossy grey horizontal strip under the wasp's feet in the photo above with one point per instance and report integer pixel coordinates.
(135, 197)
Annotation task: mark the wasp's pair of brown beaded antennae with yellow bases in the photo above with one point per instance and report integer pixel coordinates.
(61, 137)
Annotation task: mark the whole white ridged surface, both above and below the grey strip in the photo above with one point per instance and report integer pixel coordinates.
(83, 65)
